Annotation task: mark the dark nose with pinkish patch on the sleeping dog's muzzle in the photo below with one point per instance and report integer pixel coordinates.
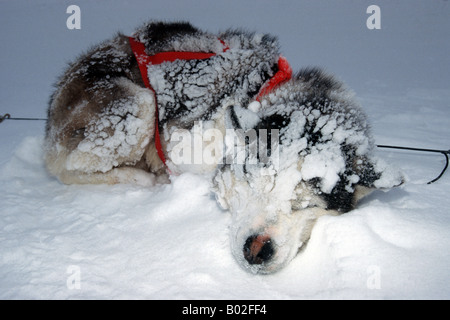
(258, 249)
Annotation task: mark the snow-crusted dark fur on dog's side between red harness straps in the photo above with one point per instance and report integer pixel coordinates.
(195, 89)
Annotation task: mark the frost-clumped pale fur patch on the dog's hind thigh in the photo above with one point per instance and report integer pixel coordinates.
(119, 137)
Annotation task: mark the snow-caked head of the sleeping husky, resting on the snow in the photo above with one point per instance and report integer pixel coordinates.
(304, 152)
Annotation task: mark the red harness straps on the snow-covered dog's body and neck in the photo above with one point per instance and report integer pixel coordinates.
(283, 74)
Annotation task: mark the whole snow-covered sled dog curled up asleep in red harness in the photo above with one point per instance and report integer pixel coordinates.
(285, 149)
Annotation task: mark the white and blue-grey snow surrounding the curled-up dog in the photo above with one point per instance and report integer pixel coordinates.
(171, 241)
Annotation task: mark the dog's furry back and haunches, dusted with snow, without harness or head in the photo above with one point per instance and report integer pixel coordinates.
(101, 117)
